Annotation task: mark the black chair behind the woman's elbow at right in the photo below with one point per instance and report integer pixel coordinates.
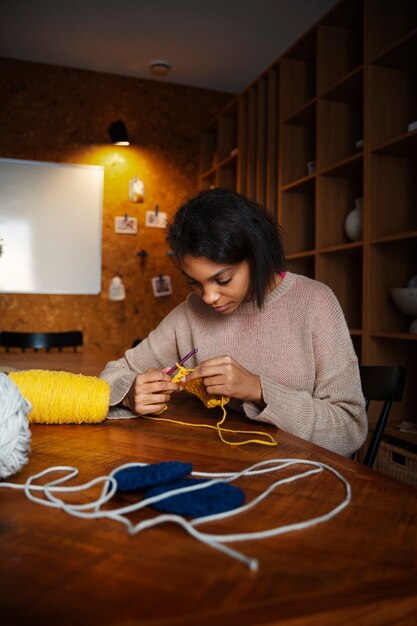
(383, 383)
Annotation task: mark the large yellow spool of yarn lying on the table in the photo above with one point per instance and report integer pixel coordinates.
(62, 397)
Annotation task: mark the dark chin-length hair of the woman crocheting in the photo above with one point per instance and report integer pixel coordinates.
(226, 227)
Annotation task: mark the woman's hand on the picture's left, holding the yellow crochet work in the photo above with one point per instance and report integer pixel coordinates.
(150, 392)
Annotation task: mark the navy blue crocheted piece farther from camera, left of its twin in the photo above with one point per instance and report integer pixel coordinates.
(142, 477)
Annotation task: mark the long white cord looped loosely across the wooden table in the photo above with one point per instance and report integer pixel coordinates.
(93, 510)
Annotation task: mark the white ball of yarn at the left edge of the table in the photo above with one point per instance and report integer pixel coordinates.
(14, 428)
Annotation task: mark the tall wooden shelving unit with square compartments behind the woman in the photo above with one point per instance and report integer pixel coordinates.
(326, 124)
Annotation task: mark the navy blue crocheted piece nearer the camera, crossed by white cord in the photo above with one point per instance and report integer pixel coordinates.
(217, 498)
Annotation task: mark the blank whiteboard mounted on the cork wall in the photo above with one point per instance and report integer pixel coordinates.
(50, 226)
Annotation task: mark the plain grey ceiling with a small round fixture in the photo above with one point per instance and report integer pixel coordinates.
(214, 44)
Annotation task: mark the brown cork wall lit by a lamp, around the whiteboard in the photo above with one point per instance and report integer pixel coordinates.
(57, 114)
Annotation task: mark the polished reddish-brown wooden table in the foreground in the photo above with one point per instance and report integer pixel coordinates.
(358, 568)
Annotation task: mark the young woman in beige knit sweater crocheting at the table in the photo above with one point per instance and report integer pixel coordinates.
(275, 342)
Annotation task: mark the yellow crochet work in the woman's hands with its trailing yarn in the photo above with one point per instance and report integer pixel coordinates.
(197, 388)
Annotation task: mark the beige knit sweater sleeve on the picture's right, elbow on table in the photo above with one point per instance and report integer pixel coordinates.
(334, 415)
